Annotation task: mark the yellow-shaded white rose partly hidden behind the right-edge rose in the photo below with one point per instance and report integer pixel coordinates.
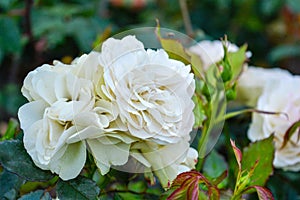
(250, 84)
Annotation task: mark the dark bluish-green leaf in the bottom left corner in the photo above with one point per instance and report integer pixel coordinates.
(10, 185)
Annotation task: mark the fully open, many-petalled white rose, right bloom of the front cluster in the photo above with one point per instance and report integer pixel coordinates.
(153, 92)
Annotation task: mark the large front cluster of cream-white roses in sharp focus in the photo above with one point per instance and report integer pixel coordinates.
(123, 104)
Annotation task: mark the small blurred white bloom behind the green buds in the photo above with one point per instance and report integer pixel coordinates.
(212, 52)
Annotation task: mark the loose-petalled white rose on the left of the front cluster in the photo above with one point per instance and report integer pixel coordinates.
(56, 96)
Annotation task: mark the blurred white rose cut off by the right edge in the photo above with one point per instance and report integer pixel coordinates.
(279, 95)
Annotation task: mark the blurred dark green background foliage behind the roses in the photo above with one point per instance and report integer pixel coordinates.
(33, 32)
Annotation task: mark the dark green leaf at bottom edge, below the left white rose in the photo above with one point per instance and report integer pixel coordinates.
(79, 188)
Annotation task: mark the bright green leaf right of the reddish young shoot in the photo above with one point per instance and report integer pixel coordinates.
(262, 152)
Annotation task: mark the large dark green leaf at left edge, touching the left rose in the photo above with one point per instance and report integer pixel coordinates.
(14, 158)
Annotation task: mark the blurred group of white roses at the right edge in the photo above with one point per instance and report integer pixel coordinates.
(273, 90)
